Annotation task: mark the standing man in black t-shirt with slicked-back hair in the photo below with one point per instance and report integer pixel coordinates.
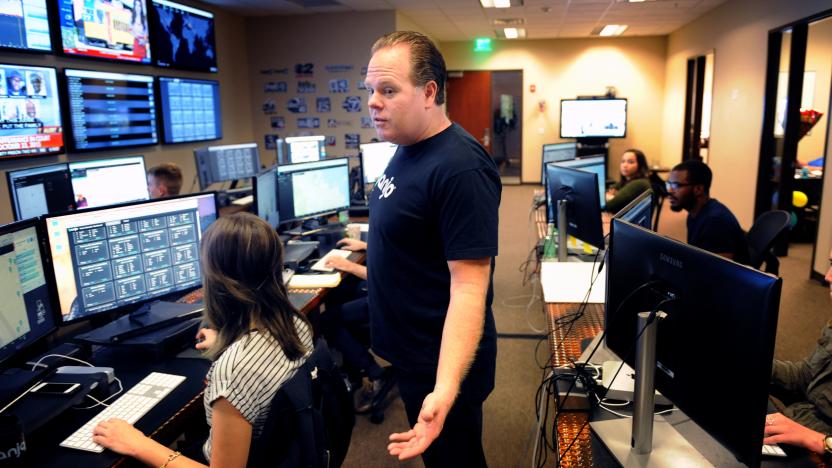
(433, 238)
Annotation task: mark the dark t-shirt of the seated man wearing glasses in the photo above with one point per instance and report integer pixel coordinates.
(715, 229)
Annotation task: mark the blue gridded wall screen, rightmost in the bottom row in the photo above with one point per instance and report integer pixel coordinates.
(190, 110)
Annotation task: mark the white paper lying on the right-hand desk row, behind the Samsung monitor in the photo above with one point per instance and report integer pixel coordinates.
(569, 282)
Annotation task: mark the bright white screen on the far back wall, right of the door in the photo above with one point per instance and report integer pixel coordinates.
(593, 118)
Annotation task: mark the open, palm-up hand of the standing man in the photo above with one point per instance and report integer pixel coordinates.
(428, 427)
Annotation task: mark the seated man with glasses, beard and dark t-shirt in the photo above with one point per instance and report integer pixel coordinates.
(711, 225)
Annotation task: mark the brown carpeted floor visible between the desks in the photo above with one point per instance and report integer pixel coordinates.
(509, 411)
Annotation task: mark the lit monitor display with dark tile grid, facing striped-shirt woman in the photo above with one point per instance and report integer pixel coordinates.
(106, 259)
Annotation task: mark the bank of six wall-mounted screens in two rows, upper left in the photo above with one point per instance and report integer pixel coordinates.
(104, 110)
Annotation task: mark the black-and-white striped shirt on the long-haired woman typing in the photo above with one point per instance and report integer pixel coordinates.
(249, 373)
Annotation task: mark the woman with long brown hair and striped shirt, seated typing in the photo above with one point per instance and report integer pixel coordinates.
(256, 339)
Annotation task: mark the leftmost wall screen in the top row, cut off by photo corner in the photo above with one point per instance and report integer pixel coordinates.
(24, 25)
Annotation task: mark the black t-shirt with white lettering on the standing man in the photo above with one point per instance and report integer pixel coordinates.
(437, 201)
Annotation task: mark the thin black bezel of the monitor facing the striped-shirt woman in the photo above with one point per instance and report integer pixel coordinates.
(43, 220)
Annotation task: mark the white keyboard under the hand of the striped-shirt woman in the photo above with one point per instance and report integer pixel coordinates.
(130, 407)
